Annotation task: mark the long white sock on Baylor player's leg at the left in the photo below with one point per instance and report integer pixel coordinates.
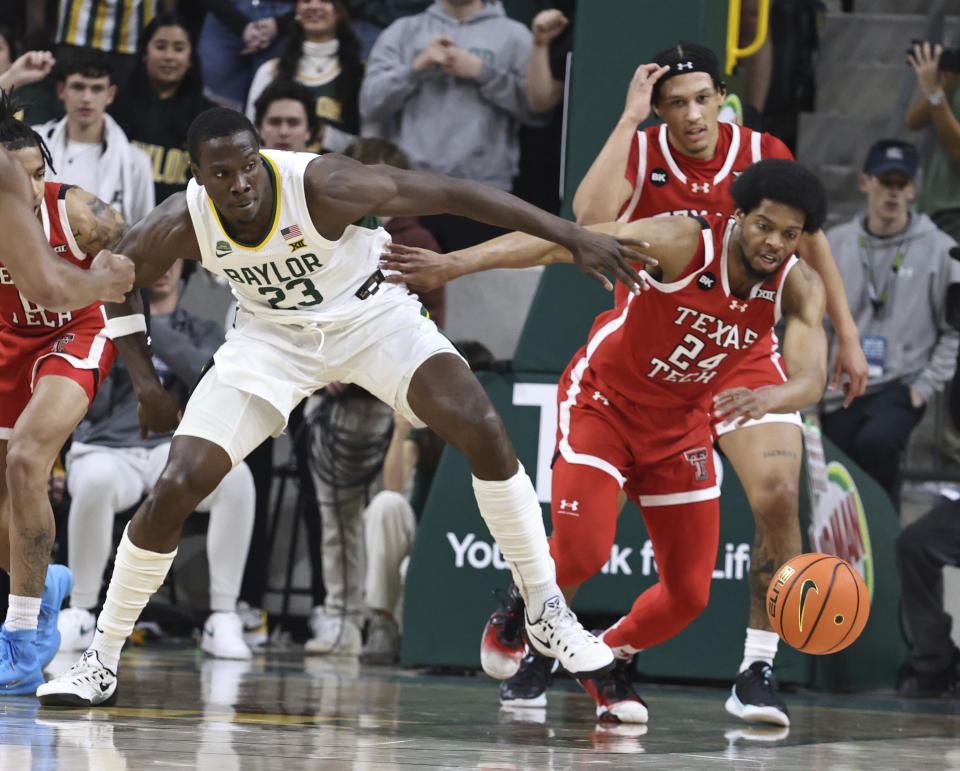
(137, 574)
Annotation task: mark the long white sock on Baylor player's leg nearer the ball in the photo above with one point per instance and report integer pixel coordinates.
(512, 513)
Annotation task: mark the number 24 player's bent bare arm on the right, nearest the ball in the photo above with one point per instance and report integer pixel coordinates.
(804, 353)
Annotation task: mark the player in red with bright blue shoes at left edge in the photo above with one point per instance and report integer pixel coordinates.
(51, 363)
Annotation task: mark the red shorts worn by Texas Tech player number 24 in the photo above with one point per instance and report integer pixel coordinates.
(660, 456)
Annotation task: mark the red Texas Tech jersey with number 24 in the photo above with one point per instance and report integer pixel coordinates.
(672, 344)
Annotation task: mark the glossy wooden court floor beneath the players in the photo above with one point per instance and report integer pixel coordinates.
(177, 709)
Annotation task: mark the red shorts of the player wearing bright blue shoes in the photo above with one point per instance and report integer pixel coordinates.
(78, 350)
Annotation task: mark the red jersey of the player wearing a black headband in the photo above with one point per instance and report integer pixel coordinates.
(665, 182)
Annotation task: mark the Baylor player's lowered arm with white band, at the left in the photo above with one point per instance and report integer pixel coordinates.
(153, 244)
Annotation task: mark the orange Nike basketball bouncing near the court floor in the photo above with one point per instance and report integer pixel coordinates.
(818, 603)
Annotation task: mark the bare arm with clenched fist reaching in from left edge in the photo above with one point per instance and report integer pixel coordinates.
(35, 268)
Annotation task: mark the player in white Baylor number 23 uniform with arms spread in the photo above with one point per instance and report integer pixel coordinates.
(292, 235)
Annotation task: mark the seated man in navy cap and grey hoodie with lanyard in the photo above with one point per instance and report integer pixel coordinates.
(896, 267)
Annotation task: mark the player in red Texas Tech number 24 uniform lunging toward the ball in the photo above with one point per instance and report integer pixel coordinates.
(637, 402)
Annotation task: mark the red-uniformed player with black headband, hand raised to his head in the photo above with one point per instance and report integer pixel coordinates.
(686, 165)
